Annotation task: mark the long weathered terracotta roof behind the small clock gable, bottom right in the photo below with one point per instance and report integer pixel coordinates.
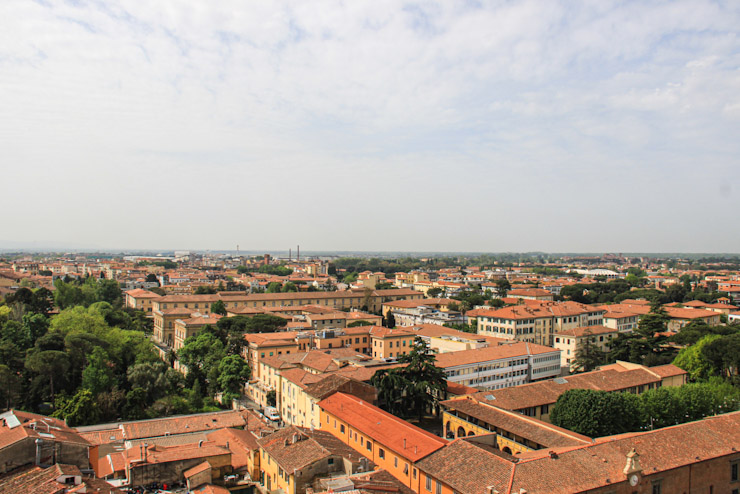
(470, 469)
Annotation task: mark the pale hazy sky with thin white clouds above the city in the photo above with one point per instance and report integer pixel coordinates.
(557, 126)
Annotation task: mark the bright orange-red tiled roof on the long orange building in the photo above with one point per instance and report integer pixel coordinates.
(398, 435)
